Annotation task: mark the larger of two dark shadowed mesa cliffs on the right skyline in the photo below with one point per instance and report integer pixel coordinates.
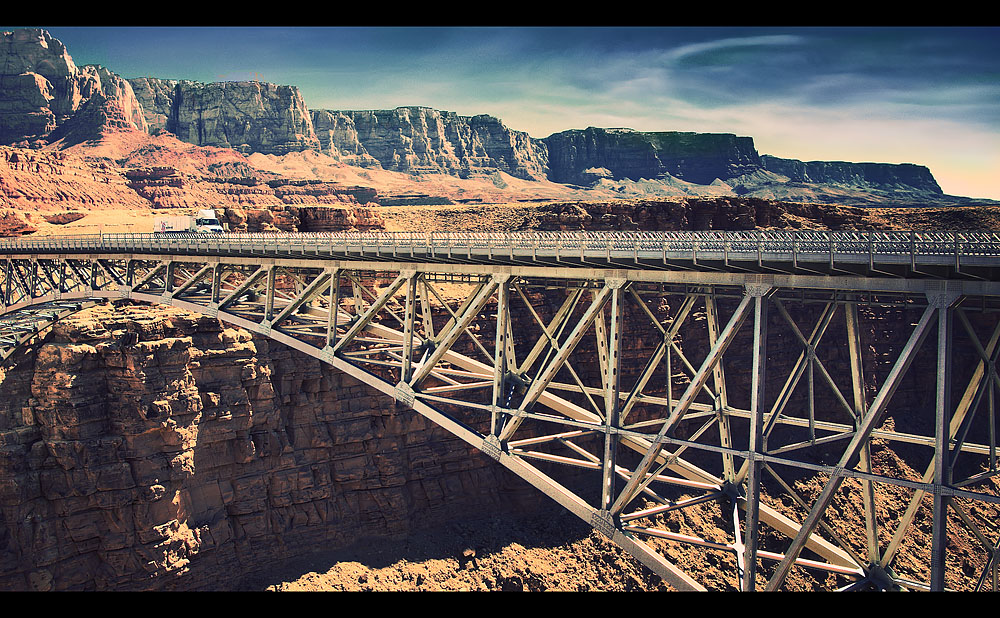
(623, 153)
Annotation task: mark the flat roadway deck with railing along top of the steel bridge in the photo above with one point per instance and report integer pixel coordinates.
(962, 255)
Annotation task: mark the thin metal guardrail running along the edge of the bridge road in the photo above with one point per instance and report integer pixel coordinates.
(793, 243)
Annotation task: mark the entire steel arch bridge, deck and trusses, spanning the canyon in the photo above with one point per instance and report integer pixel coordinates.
(633, 376)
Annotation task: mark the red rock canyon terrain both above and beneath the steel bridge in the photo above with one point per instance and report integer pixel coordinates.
(147, 448)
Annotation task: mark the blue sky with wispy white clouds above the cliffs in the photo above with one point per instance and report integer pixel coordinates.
(928, 95)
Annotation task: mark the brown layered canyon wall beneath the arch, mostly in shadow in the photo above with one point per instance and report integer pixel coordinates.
(148, 448)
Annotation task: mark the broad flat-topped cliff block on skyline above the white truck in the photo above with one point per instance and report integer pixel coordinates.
(246, 116)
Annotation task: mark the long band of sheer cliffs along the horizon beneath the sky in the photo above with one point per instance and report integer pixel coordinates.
(45, 98)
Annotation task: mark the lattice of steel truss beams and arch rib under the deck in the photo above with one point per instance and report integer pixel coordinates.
(390, 324)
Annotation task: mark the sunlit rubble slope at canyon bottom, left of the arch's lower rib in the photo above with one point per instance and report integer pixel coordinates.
(550, 552)
